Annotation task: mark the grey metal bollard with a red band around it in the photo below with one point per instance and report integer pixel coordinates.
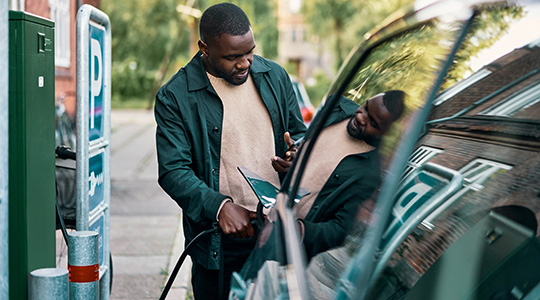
(83, 265)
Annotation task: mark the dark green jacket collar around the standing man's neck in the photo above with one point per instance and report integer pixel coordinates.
(196, 74)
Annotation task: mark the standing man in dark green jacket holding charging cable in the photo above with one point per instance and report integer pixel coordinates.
(226, 107)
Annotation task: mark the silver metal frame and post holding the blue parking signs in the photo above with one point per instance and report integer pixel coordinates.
(88, 217)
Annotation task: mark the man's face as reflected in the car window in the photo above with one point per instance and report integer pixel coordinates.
(371, 121)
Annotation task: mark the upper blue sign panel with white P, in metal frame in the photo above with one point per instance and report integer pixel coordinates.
(96, 90)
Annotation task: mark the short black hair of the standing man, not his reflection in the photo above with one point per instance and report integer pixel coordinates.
(223, 18)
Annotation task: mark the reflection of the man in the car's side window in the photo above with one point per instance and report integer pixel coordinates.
(344, 169)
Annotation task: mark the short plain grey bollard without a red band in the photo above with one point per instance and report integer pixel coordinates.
(48, 284)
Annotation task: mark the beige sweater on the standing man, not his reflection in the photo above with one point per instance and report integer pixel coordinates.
(247, 139)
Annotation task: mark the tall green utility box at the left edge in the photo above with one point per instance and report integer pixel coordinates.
(32, 222)
